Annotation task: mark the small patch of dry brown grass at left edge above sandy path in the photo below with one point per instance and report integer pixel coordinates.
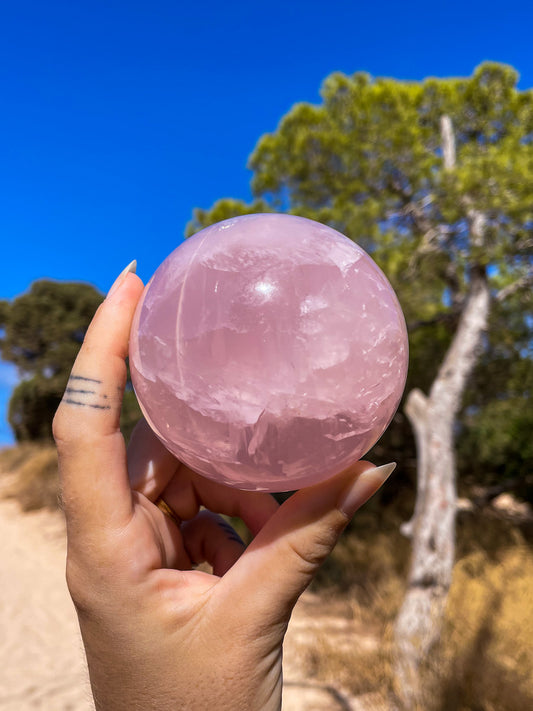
(33, 474)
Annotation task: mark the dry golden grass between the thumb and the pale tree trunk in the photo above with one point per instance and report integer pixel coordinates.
(367, 568)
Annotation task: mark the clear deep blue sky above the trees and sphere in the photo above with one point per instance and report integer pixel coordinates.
(118, 118)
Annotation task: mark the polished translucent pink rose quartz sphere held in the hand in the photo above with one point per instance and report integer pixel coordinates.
(268, 352)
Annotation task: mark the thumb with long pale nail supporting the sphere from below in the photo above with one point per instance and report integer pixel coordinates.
(285, 555)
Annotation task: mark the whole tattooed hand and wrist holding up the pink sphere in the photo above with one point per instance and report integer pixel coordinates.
(159, 635)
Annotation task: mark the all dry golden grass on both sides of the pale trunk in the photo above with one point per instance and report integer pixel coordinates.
(485, 659)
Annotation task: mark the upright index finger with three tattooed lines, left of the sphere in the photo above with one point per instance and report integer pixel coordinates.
(92, 458)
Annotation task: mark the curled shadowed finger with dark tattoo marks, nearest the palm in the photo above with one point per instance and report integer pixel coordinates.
(208, 538)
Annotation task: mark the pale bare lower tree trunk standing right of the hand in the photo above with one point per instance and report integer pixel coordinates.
(420, 619)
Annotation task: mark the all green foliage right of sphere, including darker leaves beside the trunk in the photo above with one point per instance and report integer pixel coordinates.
(369, 161)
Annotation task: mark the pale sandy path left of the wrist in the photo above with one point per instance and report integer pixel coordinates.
(42, 664)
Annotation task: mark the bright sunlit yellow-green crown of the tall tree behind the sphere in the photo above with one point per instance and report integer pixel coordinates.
(368, 161)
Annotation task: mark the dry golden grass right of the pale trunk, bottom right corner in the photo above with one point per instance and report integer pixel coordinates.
(486, 655)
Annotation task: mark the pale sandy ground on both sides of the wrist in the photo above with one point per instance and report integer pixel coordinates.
(42, 664)
